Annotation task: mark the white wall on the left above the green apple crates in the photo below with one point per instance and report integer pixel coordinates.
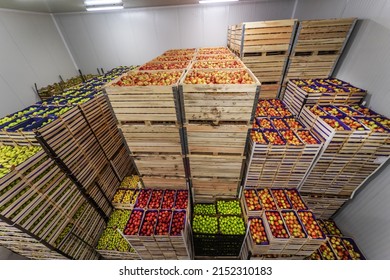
(31, 51)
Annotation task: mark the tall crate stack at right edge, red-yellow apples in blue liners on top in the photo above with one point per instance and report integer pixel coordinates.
(356, 146)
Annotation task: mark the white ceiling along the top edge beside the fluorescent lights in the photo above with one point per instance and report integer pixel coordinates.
(68, 6)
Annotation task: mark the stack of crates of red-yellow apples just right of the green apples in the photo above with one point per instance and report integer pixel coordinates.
(284, 207)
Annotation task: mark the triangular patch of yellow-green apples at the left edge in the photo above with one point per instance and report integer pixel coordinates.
(12, 156)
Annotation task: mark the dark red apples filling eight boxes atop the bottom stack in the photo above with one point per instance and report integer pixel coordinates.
(158, 212)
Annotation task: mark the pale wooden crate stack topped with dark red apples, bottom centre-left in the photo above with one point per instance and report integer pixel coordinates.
(158, 227)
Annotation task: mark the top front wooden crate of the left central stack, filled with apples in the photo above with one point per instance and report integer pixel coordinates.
(144, 103)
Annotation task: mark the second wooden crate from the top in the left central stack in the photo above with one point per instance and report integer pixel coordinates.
(152, 137)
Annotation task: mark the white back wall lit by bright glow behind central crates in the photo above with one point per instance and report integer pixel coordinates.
(138, 35)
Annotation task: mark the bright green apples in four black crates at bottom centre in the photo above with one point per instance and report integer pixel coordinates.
(222, 218)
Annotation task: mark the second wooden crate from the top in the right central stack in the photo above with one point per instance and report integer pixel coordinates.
(206, 138)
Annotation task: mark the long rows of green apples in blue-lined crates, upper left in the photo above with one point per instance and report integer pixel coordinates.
(44, 112)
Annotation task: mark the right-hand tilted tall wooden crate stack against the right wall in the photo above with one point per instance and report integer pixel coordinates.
(317, 47)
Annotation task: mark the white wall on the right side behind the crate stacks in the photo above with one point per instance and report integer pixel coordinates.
(365, 63)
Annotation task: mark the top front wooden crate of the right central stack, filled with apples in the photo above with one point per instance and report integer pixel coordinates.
(218, 102)
